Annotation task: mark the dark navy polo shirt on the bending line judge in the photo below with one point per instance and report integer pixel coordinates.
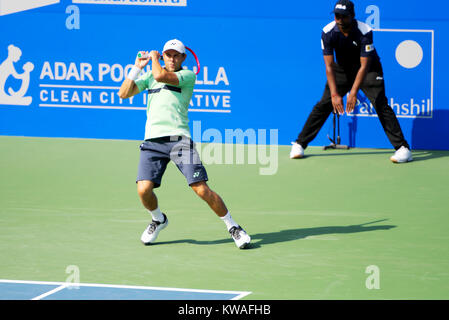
(348, 50)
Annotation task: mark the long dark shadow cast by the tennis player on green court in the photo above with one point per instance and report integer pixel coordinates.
(260, 239)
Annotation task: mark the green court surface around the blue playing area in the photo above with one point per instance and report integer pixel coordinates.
(338, 224)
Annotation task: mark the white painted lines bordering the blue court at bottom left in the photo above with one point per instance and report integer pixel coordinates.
(240, 294)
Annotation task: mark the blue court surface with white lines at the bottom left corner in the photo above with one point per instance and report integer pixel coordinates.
(33, 290)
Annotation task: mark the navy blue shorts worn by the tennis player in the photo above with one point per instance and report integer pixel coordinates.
(156, 153)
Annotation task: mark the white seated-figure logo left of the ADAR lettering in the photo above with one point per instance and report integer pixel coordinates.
(6, 70)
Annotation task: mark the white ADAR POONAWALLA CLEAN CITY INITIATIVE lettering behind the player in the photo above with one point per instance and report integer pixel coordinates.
(95, 86)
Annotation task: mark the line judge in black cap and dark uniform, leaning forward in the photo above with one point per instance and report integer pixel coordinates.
(356, 66)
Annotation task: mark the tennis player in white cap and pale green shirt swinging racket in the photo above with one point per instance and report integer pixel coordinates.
(167, 137)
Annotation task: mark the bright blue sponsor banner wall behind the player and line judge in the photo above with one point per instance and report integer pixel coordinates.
(62, 63)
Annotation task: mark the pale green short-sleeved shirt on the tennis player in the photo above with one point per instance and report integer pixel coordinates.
(168, 105)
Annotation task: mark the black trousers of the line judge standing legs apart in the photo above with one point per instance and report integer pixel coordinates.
(374, 88)
